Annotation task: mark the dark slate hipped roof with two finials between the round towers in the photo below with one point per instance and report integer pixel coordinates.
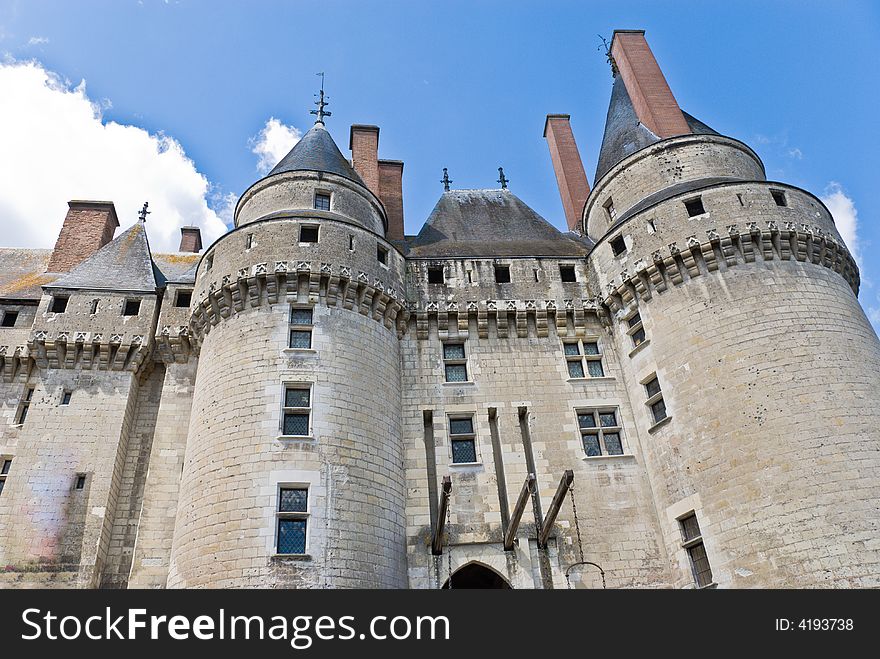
(490, 223)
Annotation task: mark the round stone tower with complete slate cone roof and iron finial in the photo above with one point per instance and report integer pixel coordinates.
(294, 471)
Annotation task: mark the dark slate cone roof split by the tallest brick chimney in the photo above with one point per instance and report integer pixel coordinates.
(624, 134)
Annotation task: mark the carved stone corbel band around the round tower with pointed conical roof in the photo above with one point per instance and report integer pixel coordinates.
(273, 282)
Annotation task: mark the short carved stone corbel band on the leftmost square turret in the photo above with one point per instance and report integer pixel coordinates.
(88, 350)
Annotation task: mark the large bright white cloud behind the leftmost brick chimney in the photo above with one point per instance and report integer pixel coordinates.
(57, 147)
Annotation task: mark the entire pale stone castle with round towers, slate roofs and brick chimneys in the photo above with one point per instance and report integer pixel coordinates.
(682, 391)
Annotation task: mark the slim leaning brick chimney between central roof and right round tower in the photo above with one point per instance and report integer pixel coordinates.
(570, 176)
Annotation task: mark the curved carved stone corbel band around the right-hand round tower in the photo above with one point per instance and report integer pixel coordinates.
(739, 245)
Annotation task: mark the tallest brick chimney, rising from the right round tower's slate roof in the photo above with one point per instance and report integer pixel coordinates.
(651, 96)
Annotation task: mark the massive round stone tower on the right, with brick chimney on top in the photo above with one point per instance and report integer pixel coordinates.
(755, 367)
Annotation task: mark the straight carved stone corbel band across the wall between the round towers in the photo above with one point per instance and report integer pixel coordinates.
(510, 316)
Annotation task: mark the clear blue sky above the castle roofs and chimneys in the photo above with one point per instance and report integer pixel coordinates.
(466, 85)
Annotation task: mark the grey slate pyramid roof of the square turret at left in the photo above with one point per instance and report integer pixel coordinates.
(123, 264)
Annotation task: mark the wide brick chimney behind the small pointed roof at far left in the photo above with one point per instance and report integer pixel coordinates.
(88, 226)
